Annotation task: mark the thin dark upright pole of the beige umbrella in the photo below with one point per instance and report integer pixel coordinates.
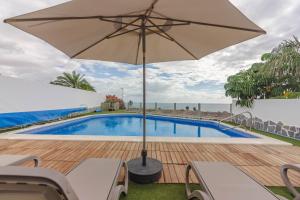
(144, 151)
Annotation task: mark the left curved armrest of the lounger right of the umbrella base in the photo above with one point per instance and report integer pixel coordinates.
(201, 195)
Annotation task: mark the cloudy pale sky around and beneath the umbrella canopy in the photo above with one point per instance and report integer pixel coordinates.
(26, 57)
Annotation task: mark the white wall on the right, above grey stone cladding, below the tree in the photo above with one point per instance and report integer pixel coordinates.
(285, 110)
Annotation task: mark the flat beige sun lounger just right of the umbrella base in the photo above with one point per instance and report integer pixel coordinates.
(222, 181)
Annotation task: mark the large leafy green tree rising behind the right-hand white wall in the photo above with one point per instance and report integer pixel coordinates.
(276, 76)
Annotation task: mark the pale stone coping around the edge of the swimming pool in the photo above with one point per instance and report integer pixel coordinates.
(260, 140)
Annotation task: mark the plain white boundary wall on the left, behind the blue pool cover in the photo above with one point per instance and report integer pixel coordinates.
(17, 95)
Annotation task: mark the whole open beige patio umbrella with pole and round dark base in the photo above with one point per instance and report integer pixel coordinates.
(117, 30)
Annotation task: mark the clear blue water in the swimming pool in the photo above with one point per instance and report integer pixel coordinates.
(131, 125)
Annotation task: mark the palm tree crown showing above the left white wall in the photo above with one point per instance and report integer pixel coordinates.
(73, 80)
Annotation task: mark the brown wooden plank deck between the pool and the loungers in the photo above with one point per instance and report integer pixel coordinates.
(259, 161)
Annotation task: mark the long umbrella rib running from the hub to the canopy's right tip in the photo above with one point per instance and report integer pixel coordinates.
(210, 24)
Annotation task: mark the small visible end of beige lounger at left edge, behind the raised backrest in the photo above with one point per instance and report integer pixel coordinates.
(10, 160)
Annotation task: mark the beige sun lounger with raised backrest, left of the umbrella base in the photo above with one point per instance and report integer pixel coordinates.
(92, 179)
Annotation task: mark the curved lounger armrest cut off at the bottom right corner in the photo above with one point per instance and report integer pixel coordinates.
(283, 172)
